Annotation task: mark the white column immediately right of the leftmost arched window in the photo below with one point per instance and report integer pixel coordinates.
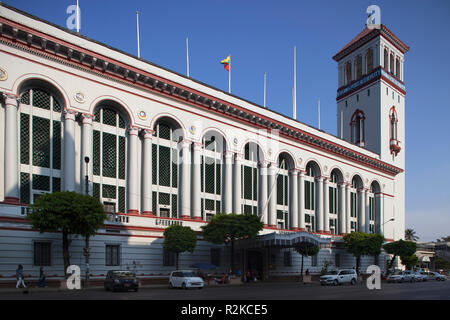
(69, 150)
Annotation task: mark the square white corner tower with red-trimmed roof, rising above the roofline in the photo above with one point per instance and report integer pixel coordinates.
(371, 93)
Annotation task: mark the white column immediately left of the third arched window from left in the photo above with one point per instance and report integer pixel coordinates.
(147, 179)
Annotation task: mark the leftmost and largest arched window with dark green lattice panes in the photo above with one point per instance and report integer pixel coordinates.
(40, 141)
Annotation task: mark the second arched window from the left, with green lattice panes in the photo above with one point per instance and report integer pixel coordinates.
(109, 157)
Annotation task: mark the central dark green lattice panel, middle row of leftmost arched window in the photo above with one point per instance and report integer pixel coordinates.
(41, 142)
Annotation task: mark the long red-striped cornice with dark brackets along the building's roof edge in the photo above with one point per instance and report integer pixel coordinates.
(34, 42)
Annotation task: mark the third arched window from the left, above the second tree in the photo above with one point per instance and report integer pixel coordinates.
(165, 169)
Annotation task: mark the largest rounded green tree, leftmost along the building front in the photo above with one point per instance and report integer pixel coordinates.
(68, 212)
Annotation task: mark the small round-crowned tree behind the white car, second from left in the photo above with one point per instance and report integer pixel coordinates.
(179, 239)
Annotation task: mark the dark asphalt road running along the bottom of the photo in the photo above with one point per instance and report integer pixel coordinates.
(430, 290)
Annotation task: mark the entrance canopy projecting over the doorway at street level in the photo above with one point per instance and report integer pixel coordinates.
(285, 240)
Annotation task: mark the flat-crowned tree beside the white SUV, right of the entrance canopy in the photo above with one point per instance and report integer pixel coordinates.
(361, 244)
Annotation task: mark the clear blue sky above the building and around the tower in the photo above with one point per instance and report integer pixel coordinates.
(260, 36)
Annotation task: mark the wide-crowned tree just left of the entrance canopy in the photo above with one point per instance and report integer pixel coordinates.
(227, 228)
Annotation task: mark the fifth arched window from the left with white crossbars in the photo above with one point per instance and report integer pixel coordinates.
(250, 179)
